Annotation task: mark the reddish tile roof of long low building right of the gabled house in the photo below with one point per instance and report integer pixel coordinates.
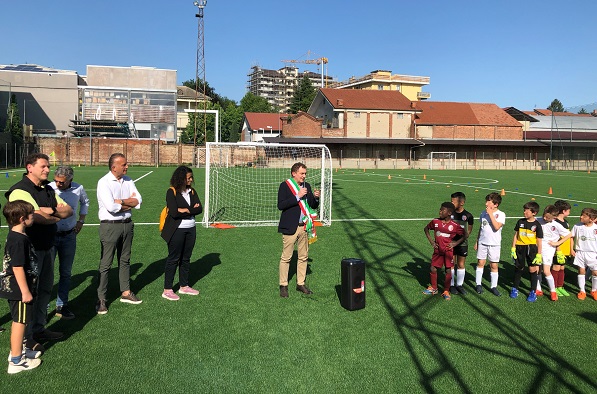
(449, 113)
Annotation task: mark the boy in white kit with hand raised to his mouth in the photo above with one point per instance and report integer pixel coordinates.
(489, 241)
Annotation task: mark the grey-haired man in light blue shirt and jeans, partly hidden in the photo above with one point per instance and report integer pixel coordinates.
(65, 243)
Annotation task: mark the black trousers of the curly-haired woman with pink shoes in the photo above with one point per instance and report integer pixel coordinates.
(180, 249)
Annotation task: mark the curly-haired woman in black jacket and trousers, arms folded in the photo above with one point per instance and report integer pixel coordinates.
(179, 231)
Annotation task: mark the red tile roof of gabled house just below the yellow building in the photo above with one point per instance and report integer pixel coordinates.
(388, 100)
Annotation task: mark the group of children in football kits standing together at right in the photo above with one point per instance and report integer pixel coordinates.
(545, 244)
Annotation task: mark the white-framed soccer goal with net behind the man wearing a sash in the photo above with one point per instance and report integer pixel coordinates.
(242, 181)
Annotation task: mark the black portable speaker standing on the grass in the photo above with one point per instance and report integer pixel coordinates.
(352, 293)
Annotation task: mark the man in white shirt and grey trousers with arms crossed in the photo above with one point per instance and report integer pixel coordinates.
(116, 196)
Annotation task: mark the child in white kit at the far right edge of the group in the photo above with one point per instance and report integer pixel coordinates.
(585, 250)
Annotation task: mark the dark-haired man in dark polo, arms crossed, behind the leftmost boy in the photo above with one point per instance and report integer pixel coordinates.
(49, 209)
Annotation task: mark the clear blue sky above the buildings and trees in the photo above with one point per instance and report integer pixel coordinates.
(511, 53)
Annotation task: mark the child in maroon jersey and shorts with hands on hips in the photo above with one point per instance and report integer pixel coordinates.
(447, 234)
